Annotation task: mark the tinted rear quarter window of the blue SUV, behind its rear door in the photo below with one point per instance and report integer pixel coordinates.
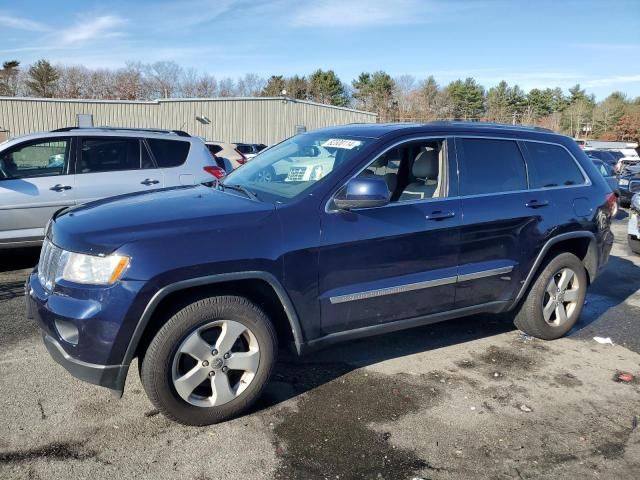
(551, 166)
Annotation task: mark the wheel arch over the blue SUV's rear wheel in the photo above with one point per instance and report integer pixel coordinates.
(582, 244)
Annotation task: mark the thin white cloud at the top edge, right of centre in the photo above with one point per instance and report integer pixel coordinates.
(363, 13)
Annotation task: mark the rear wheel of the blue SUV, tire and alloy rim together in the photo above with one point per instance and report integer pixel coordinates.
(555, 300)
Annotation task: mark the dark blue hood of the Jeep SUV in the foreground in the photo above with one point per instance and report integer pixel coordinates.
(103, 226)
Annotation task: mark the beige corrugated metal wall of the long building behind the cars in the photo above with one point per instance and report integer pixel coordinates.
(259, 120)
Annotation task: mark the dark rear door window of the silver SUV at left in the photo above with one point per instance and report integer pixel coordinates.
(108, 154)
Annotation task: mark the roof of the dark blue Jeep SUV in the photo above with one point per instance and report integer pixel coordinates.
(377, 130)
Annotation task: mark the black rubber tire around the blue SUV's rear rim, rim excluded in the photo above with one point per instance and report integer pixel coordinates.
(529, 317)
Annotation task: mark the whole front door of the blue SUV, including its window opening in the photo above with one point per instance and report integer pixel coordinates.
(399, 261)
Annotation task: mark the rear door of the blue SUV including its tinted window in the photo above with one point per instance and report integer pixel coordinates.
(501, 229)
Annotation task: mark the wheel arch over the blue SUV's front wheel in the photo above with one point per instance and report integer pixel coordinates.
(220, 284)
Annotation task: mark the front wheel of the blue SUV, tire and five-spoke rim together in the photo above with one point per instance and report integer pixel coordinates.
(210, 361)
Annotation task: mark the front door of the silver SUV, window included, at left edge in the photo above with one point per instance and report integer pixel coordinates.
(39, 186)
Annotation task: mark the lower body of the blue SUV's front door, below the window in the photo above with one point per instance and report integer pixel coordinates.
(384, 264)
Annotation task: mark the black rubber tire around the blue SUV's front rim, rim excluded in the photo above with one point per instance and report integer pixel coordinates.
(158, 362)
